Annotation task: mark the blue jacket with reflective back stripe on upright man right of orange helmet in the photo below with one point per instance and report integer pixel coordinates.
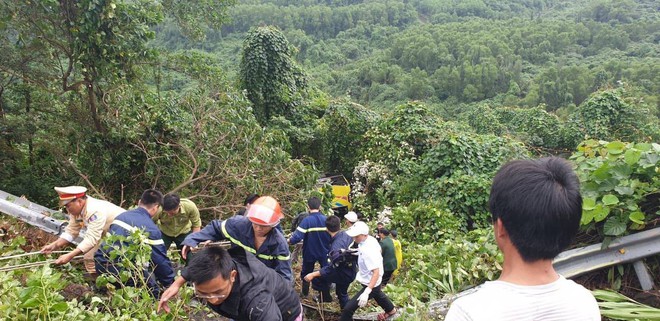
(316, 238)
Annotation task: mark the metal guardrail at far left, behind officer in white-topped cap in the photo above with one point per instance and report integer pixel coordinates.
(33, 214)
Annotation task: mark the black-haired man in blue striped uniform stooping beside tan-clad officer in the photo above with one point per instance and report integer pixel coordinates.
(125, 224)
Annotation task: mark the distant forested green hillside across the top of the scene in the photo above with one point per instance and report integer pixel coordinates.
(447, 53)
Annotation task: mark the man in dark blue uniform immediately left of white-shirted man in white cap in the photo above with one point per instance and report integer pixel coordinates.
(342, 264)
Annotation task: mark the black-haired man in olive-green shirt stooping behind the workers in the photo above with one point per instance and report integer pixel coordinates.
(178, 218)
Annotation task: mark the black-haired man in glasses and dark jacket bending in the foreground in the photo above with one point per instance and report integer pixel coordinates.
(237, 285)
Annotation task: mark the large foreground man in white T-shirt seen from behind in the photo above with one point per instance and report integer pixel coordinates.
(536, 209)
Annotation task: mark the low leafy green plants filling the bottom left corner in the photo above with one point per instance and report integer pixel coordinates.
(38, 294)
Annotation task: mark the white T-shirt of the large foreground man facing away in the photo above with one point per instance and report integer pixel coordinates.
(561, 300)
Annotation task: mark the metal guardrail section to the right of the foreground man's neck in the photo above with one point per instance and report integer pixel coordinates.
(631, 248)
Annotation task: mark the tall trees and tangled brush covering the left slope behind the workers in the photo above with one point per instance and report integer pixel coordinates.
(103, 109)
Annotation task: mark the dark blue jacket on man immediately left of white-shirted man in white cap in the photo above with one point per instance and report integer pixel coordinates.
(342, 266)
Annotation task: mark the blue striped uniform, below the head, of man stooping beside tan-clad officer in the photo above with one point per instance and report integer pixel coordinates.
(124, 224)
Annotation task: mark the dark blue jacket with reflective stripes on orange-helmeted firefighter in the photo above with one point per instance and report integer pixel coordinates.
(274, 252)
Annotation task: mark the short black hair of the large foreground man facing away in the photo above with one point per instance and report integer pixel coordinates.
(539, 204)
